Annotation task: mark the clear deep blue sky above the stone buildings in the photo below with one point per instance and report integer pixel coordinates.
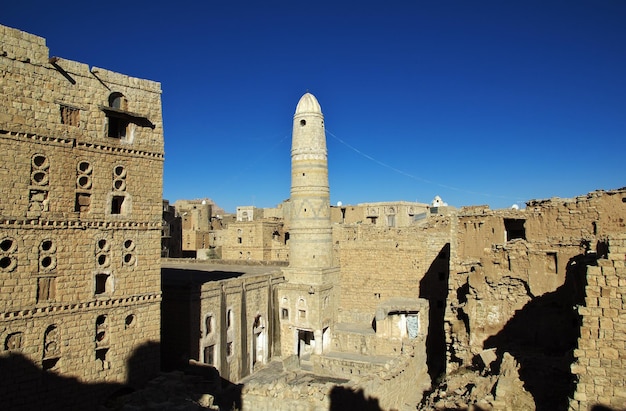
(479, 102)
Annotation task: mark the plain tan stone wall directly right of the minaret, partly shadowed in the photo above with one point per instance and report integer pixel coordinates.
(377, 264)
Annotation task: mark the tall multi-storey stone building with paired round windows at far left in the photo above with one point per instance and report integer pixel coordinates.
(80, 219)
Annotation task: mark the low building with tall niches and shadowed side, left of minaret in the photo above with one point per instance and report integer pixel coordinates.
(219, 318)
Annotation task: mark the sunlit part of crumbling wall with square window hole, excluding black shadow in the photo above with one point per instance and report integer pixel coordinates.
(508, 258)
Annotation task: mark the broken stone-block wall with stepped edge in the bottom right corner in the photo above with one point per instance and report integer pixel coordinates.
(600, 353)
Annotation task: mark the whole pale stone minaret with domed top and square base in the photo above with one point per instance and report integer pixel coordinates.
(307, 300)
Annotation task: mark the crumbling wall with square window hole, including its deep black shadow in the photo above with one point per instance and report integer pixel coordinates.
(514, 292)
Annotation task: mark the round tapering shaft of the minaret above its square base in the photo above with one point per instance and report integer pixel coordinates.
(310, 243)
